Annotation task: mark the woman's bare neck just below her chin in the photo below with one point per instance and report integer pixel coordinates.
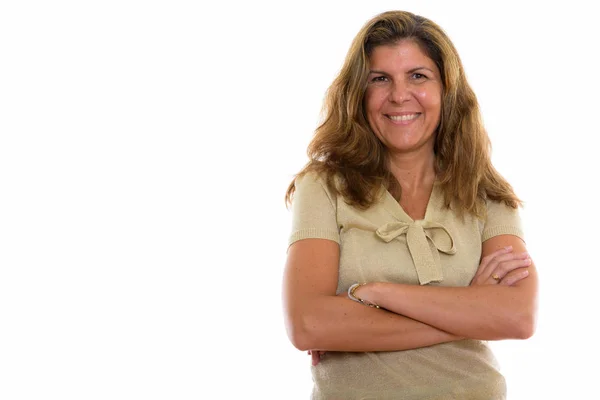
(414, 171)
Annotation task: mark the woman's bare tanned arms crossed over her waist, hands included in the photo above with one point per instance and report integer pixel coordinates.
(414, 316)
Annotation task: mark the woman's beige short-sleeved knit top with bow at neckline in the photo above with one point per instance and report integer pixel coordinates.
(383, 244)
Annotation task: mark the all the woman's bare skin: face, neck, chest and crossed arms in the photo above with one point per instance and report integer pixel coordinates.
(403, 81)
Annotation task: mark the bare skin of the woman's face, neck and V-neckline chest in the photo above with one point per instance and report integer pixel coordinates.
(404, 82)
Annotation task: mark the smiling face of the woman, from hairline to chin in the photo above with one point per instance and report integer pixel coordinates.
(403, 98)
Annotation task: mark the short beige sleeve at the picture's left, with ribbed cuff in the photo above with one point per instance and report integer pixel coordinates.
(314, 210)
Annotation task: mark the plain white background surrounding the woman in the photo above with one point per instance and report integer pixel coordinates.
(145, 149)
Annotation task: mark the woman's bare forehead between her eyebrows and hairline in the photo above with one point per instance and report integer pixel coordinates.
(404, 54)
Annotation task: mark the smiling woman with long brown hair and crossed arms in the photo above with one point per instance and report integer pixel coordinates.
(406, 250)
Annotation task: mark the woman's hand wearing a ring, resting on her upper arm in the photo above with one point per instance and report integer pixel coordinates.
(502, 267)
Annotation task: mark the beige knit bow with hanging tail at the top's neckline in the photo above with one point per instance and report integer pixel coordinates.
(424, 240)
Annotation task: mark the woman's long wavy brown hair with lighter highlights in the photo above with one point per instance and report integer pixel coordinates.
(353, 160)
